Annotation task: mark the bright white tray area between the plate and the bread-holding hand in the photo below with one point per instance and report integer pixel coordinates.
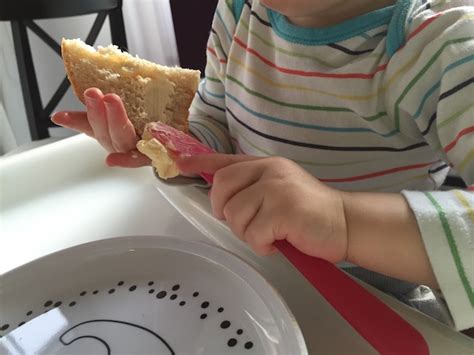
(62, 194)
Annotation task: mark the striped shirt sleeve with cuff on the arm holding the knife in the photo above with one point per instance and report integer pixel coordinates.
(435, 100)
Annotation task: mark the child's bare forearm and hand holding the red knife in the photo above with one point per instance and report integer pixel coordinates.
(377, 231)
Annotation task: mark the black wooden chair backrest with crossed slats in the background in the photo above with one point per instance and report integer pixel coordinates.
(21, 14)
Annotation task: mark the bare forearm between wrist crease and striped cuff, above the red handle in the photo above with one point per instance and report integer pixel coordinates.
(383, 236)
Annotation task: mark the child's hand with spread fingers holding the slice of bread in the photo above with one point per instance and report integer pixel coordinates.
(106, 120)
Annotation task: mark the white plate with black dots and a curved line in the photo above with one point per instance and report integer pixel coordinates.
(143, 295)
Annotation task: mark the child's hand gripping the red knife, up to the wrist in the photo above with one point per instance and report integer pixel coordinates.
(269, 199)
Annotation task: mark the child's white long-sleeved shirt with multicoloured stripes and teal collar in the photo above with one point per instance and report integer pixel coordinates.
(380, 102)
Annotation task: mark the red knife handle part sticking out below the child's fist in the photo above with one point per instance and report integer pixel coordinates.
(379, 325)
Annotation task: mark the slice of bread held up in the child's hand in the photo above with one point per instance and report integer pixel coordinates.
(150, 92)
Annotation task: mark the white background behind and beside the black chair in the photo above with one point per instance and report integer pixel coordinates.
(150, 35)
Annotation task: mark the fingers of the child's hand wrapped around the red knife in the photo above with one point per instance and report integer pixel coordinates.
(238, 196)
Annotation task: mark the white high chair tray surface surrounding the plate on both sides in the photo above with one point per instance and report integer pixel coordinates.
(62, 195)
